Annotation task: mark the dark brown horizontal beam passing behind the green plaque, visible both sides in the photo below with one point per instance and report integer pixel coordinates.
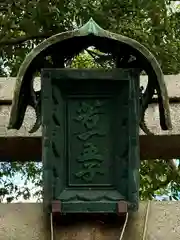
(29, 148)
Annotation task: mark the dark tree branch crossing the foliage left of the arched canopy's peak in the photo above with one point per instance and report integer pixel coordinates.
(22, 39)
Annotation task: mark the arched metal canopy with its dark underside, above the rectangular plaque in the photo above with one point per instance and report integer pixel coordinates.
(36, 60)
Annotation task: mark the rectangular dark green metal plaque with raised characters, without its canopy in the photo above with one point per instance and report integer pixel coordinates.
(90, 125)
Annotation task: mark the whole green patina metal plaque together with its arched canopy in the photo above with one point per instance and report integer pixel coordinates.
(90, 118)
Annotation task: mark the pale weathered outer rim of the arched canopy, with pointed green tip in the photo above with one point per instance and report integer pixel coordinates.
(91, 28)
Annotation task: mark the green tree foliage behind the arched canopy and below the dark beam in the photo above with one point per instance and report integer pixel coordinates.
(23, 24)
